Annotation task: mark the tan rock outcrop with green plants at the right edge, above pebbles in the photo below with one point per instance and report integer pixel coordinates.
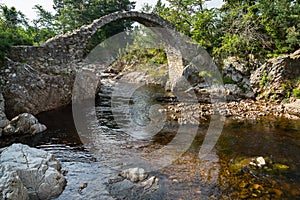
(275, 79)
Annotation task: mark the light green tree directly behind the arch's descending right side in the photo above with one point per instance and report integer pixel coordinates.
(193, 19)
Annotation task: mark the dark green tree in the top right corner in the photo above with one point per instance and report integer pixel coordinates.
(280, 19)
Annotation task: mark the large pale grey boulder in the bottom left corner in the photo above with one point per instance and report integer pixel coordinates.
(36, 170)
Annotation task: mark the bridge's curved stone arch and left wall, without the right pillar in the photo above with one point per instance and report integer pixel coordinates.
(71, 47)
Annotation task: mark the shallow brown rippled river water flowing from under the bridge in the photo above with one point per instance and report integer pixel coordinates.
(187, 177)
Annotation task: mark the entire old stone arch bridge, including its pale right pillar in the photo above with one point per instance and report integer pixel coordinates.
(66, 49)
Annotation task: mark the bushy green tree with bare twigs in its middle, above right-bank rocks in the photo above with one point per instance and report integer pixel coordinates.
(241, 32)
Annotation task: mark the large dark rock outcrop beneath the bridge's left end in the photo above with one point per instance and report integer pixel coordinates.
(27, 90)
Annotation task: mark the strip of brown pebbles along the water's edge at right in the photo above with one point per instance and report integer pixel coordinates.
(237, 110)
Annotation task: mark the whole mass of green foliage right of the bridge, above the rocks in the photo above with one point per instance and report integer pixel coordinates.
(263, 28)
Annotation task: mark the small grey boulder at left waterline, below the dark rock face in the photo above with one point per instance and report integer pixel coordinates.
(24, 124)
